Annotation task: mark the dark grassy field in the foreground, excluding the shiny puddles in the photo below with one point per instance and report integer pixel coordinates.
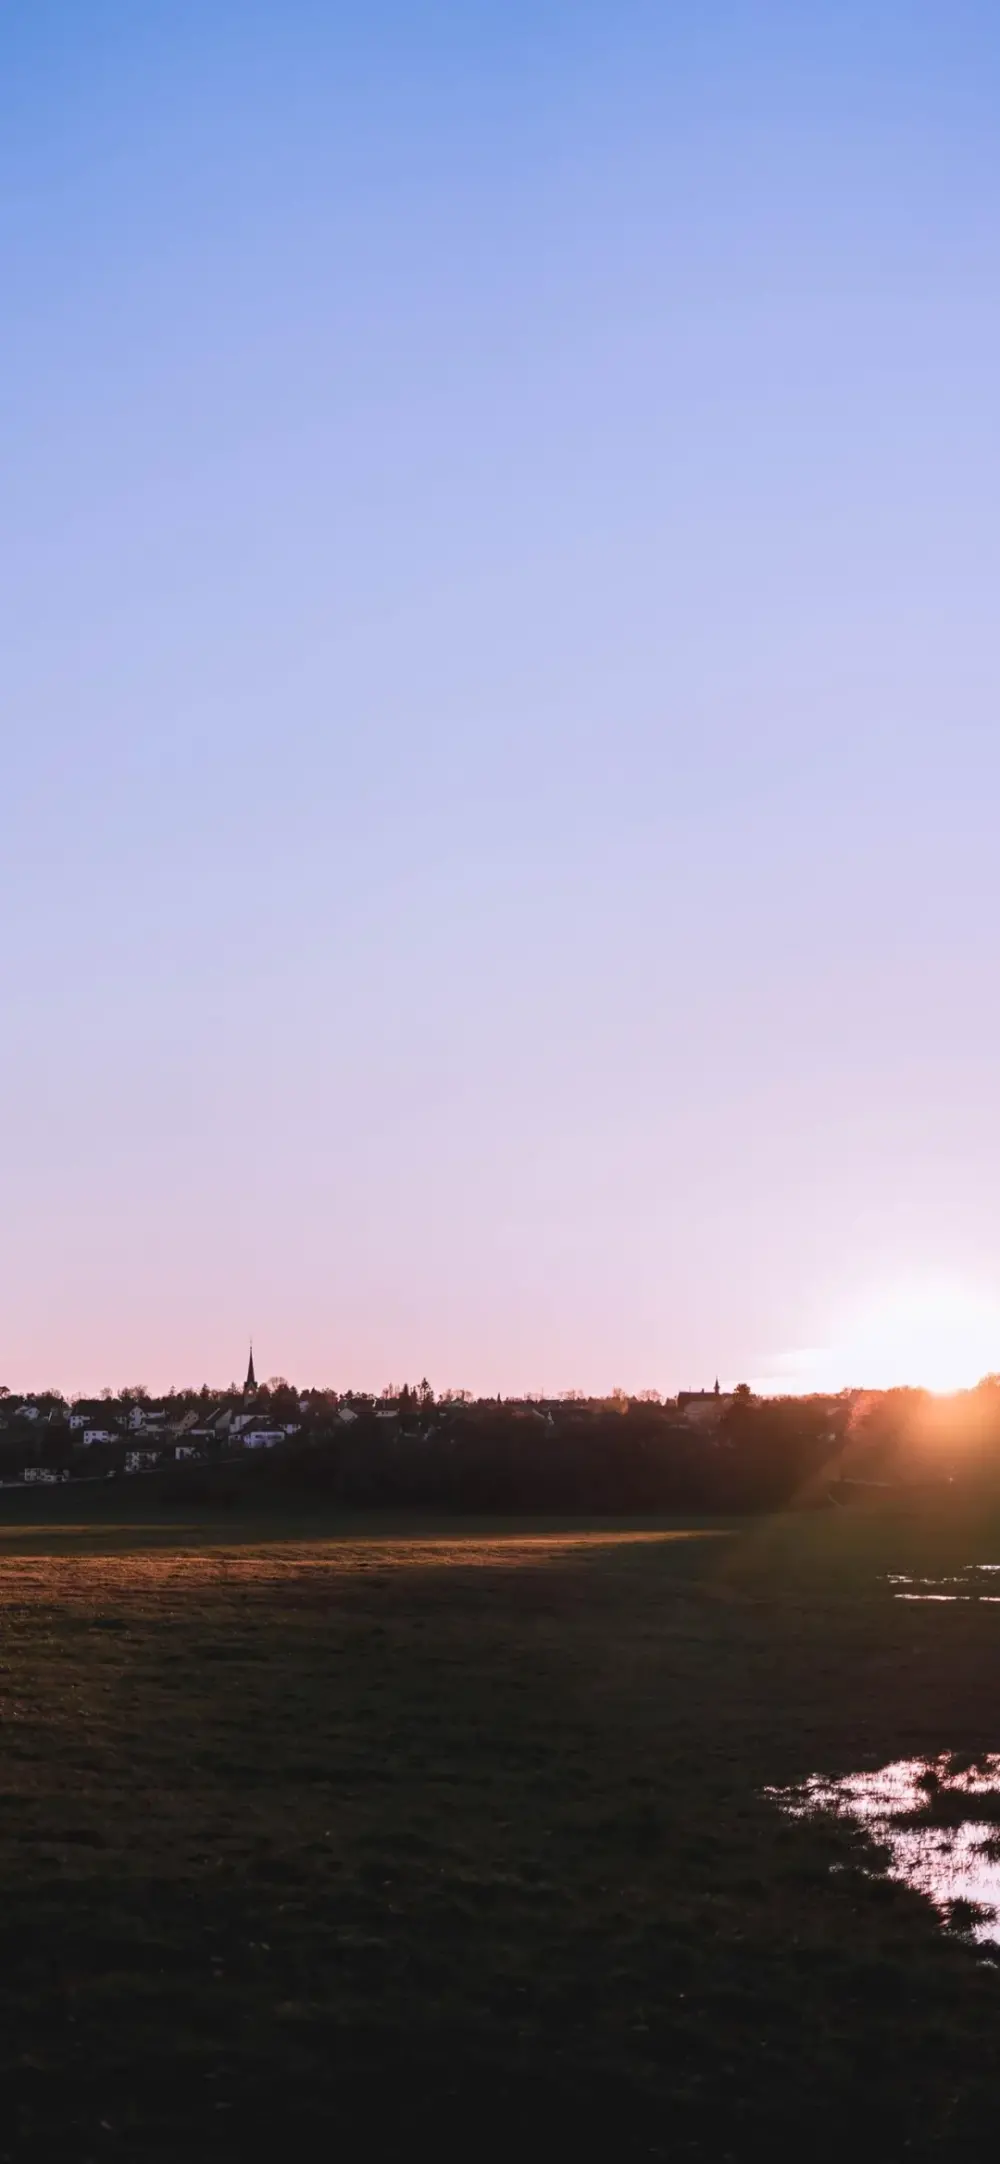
(386, 1847)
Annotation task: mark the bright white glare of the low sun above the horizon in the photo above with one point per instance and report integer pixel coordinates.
(932, 1336)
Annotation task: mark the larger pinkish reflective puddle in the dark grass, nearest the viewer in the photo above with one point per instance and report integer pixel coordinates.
(938, 1823)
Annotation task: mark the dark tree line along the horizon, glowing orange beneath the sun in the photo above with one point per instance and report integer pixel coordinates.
(577, 1455)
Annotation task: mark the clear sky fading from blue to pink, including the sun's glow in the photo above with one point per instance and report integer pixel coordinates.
(499, 670)
